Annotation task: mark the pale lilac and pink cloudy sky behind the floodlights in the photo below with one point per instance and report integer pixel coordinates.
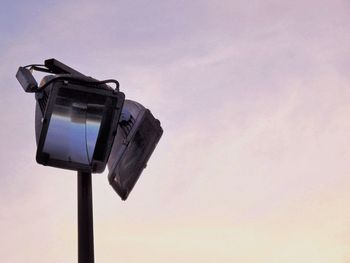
(253, 97)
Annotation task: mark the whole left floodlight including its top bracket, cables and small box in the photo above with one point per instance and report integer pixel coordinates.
(76, 118)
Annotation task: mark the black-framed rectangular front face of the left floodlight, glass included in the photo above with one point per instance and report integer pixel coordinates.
(78, 126)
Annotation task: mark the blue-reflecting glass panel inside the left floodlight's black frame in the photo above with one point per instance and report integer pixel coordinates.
(74, 126)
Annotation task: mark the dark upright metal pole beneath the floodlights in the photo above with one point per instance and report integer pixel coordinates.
(85, 219)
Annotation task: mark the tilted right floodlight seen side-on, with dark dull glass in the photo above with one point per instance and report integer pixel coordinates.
(137, 136)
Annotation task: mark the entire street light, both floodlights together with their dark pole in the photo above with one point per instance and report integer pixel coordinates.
(82, 124)
